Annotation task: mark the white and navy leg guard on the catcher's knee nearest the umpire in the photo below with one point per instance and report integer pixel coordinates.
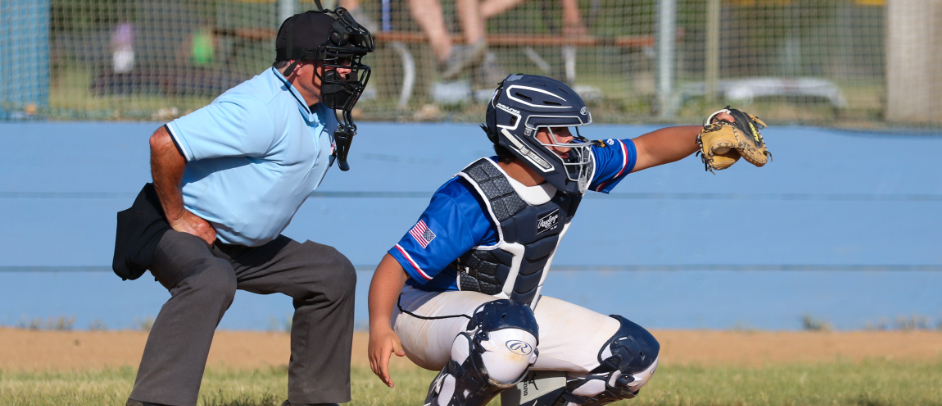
(494, 353)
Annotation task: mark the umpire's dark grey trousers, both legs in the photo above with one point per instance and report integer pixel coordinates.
(202, 281)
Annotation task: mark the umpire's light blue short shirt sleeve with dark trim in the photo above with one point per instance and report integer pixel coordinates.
(225, 127)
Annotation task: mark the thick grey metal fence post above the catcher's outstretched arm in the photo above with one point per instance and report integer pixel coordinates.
(667, 17)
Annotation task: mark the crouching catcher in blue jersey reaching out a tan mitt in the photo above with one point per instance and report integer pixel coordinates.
(460, 292)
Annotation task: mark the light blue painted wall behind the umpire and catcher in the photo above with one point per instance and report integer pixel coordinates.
(843, 226)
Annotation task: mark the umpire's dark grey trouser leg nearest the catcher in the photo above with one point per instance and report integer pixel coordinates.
(322, 282)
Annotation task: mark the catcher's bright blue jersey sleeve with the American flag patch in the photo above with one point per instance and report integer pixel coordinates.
(453, 223)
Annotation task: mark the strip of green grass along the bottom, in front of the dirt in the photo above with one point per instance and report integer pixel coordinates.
(870, 383)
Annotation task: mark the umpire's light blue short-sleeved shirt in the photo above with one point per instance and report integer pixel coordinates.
(253, 156)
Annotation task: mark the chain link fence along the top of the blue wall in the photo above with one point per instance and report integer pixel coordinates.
(844, 63)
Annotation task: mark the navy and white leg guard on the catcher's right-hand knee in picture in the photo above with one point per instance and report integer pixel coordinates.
(628, 361)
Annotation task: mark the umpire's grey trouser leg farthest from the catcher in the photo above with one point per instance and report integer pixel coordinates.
(202, 288)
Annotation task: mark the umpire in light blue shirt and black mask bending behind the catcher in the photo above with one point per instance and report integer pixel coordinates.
(227, 180)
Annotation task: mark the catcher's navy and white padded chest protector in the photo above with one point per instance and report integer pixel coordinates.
(528, 235)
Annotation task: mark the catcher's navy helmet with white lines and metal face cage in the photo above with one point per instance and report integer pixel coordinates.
(520, 107)
